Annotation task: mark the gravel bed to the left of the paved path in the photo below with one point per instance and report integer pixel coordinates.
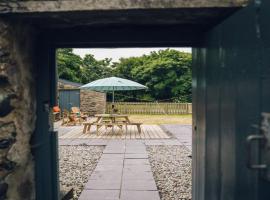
(76, 163)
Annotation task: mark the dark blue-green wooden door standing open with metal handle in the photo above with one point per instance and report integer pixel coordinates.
(234, 64)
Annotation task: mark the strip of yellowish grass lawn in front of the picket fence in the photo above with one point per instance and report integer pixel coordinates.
(162, 119)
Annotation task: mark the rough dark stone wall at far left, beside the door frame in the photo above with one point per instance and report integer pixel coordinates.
(17, 111)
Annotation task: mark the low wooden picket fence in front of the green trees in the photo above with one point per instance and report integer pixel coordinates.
(150, 108)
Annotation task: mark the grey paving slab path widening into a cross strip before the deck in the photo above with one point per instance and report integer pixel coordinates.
(123, 171)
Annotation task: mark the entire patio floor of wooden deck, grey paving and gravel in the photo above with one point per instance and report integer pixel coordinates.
(153, 165)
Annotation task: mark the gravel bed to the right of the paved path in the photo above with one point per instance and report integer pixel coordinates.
(171, 167)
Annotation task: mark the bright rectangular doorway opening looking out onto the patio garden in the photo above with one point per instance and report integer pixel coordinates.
(147, 152)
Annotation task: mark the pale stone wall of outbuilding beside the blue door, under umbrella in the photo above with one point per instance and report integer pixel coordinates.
(93, 102)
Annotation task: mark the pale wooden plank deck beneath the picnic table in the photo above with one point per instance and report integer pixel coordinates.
(148, 132)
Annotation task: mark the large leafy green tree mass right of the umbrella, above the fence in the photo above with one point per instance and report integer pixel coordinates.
(167, 74)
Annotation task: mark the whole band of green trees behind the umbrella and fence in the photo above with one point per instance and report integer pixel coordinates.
(167, 73)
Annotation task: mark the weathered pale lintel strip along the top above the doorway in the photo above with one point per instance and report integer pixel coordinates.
(23, 6)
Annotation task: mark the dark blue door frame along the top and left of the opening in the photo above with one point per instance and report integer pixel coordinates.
(47, 179)
